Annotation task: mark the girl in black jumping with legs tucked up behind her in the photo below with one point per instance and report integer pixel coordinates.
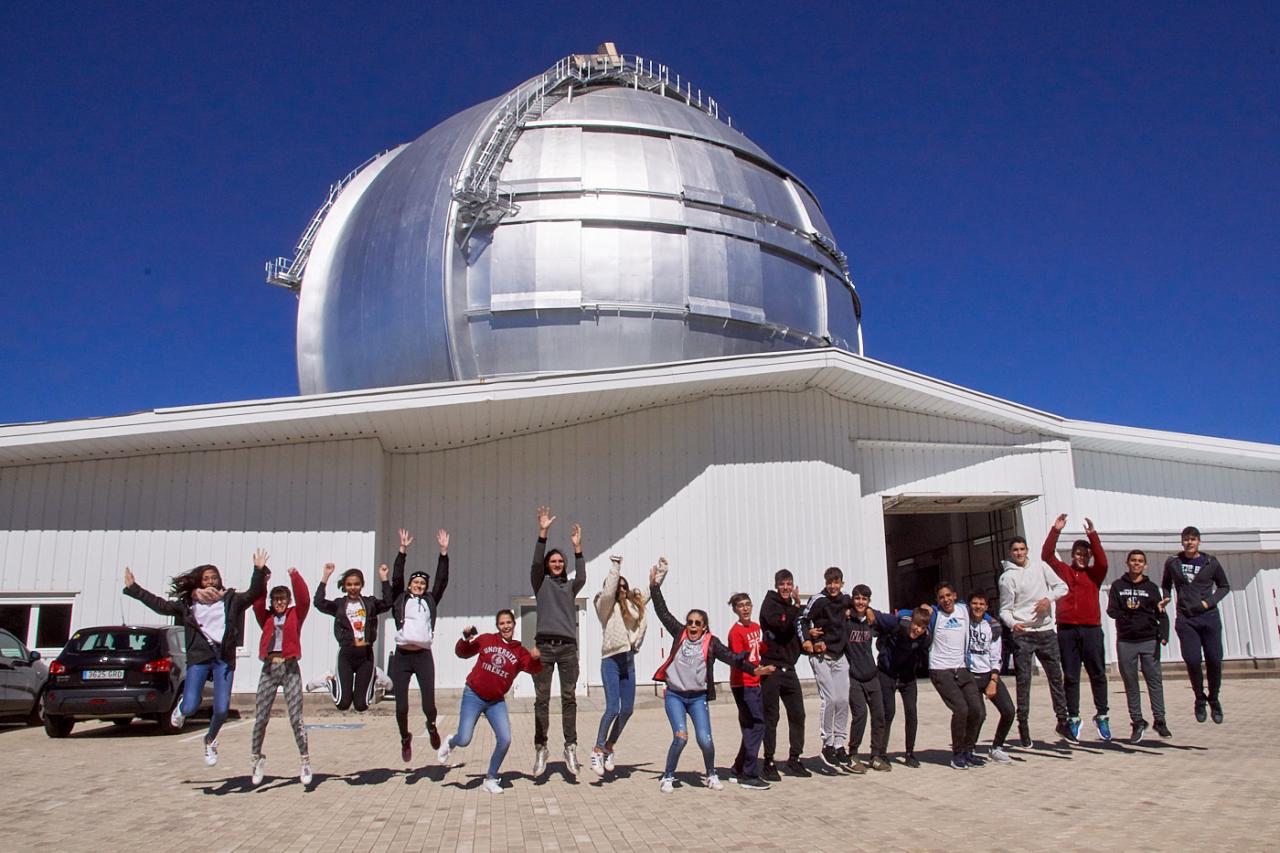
(355, 626)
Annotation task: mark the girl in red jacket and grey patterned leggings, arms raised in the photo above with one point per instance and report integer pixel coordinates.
(280, 651)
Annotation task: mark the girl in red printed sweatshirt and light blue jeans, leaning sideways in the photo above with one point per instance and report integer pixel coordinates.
(501, 660)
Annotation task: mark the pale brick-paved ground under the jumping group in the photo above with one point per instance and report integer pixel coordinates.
(108, 790)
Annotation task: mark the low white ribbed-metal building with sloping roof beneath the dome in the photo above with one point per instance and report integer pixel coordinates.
(732, 468)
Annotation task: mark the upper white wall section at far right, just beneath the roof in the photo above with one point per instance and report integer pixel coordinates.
(1137, 494)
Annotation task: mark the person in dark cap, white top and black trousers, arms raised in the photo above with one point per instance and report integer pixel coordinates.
(415, 610)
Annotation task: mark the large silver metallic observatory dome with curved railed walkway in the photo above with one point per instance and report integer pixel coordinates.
(600, 216)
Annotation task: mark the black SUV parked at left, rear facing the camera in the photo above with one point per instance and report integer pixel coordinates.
(117, 673)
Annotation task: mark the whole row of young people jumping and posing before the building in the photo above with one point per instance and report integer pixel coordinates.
(1049, 610)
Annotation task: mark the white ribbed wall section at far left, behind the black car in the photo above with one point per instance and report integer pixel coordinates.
(75, 527)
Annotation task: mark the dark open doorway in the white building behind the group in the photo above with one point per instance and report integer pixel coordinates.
(957, 539)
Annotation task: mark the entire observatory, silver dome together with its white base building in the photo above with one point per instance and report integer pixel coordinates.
(596, 293)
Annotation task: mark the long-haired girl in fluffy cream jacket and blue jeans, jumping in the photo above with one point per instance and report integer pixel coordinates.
(623, 619)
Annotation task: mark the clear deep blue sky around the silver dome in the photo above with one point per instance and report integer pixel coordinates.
(1076, 207)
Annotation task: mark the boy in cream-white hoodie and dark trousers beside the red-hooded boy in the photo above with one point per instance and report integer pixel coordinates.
(1027, 594)
